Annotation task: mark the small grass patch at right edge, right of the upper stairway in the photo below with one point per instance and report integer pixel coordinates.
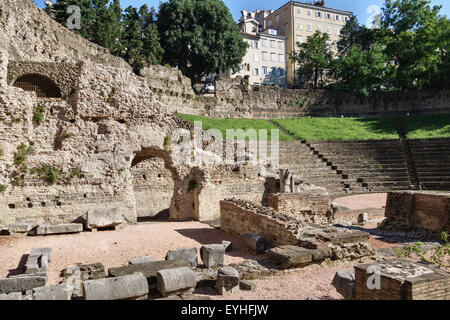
(428, 126)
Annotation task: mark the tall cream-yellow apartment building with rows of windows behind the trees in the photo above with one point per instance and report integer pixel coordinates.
(298, 20)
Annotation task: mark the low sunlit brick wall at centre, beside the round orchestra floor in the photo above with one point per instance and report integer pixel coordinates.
(308, 205)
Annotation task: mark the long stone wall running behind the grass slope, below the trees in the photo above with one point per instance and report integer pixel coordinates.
(274, 102)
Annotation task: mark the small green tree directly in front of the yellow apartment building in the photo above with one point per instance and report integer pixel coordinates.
(314, 58)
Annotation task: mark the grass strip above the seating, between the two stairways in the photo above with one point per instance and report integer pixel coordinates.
(340, 129)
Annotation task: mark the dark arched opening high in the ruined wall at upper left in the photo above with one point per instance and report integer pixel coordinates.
(42, 85)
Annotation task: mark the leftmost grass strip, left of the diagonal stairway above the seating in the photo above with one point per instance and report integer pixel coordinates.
(244, 124)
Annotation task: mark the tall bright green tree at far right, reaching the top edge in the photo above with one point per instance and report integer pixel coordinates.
(410, 32)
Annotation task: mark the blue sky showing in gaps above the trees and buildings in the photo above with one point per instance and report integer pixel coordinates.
(359, 7)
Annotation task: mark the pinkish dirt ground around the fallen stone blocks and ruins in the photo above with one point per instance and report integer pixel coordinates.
(115, 248)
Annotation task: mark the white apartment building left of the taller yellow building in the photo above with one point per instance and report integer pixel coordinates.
(265, 60)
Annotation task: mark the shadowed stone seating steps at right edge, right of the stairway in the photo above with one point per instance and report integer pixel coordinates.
(432, 162)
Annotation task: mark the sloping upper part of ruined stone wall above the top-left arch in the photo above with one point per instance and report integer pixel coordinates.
(27, 33)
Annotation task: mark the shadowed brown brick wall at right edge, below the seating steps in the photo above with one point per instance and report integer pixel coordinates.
(422, 211)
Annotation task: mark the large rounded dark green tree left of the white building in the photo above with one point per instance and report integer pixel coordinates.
(200, 37)
